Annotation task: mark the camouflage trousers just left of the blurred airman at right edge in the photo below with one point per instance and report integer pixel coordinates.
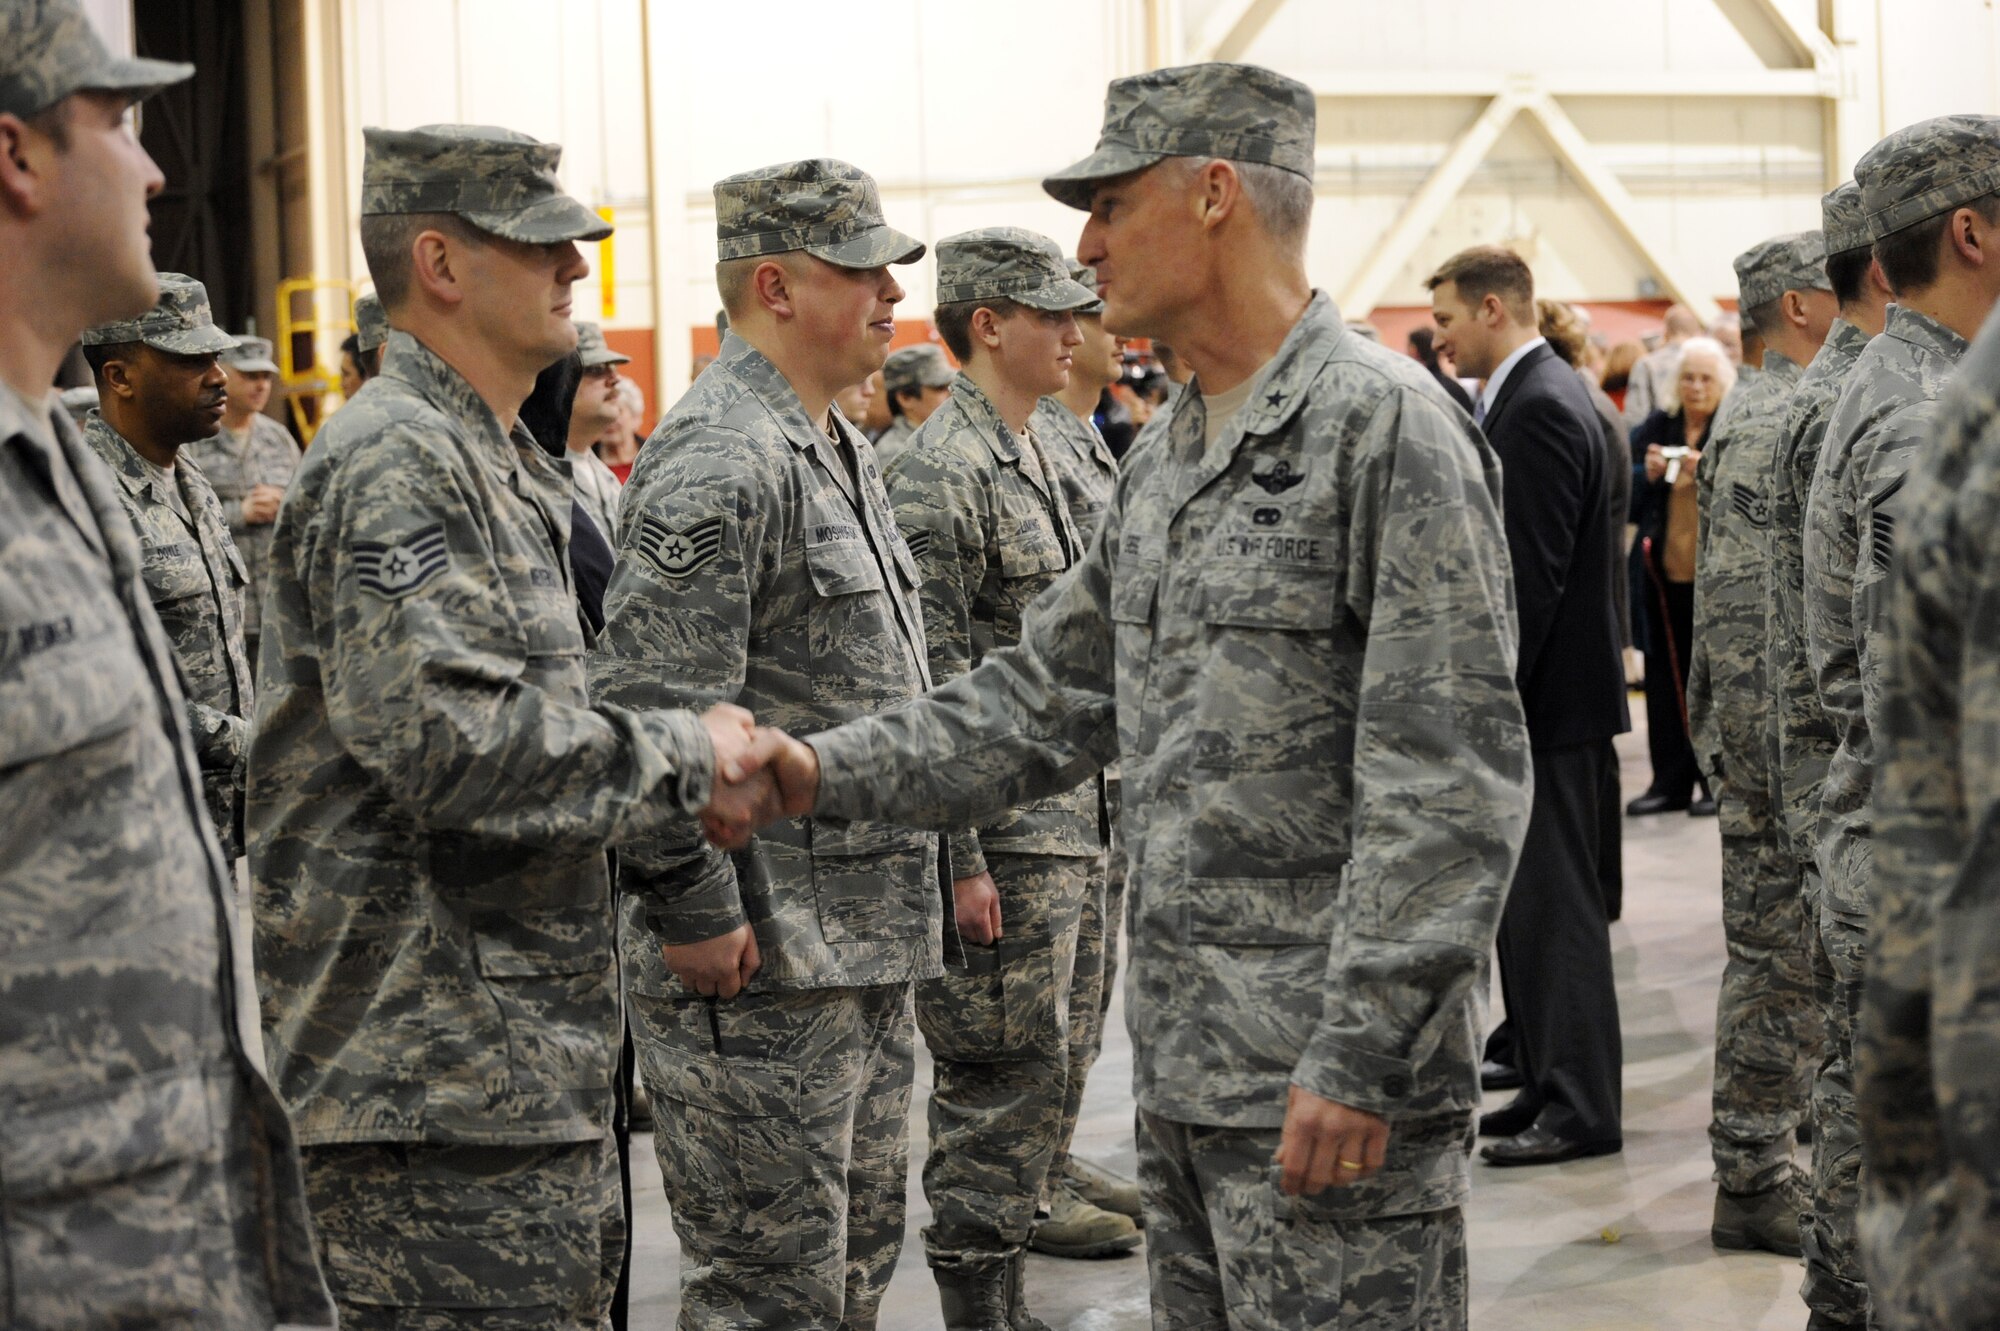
(1835, 1280)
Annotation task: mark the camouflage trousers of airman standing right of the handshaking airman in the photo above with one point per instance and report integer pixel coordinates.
(783, 1130)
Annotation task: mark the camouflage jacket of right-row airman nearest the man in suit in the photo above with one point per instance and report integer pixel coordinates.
(1729, 684)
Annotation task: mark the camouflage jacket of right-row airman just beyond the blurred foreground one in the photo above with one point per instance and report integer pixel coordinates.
(1883, 415)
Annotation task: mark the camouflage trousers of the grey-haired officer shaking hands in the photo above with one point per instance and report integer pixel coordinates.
(1227, 1248)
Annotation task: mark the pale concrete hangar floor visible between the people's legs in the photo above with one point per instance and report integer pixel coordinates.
(1615, 1242)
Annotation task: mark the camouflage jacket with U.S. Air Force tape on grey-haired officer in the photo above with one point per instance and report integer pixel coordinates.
(1303, 647)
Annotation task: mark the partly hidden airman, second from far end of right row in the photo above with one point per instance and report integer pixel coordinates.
(1803, 742)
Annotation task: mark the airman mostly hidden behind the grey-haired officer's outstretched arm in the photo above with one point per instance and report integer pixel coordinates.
(1089, 475)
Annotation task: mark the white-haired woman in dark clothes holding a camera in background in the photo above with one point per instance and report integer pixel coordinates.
(1667, 449)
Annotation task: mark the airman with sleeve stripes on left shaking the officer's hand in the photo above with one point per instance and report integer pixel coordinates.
(433, 792)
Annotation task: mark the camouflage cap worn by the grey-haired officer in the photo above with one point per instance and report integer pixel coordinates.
(1243, 113)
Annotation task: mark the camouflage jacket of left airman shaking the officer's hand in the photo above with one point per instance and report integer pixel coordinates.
(431, 788)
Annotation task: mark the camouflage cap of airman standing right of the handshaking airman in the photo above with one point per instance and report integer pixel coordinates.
(823, 207)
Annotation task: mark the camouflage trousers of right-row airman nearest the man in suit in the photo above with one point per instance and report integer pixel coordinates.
(1769, 1028)
